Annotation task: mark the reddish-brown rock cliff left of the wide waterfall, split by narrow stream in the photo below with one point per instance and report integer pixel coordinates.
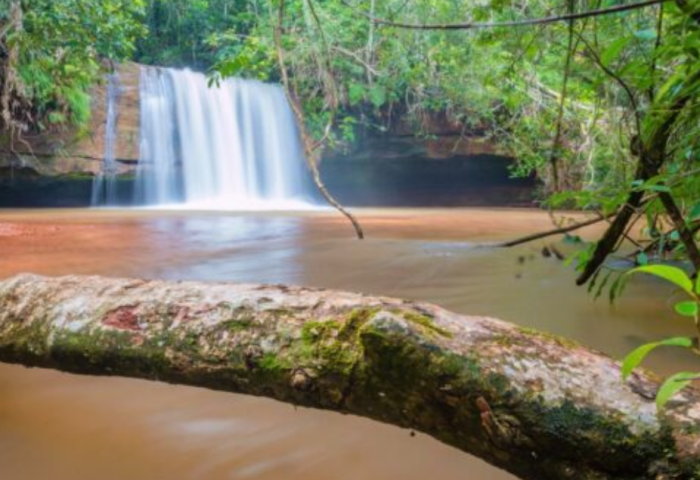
(74, 152)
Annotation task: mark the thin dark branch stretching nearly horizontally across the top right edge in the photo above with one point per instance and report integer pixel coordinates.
(515, 23)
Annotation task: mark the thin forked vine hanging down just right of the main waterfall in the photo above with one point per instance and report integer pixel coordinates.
(311, 148)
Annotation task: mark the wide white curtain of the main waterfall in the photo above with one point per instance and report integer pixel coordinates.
(231, 146)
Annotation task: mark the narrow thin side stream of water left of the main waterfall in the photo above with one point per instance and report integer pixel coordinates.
(104, 188)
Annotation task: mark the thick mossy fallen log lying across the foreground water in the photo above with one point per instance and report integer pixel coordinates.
(536, 405)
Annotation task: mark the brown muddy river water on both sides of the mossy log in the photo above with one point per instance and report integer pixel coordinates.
(64, 427)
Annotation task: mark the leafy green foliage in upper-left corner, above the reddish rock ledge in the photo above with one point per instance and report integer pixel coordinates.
(52, 52)
